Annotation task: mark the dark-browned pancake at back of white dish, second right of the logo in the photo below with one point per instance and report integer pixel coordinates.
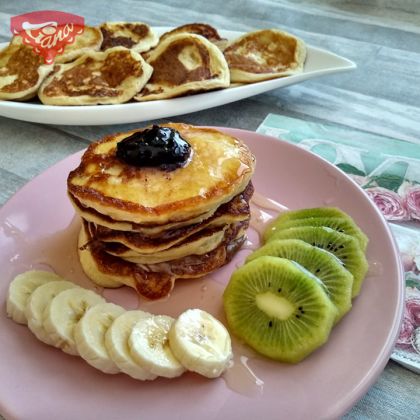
(137, 36)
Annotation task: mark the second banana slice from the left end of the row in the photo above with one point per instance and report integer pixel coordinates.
(38, 301)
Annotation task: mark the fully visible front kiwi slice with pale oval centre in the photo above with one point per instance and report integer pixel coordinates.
(278, 309)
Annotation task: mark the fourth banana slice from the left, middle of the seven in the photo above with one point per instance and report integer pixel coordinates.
(89, 335)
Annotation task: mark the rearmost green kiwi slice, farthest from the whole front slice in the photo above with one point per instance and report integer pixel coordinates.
(331, 217)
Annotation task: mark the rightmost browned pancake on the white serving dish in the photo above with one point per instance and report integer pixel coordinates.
(263, 55)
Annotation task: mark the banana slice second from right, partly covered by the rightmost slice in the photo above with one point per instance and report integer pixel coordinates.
(150, 348)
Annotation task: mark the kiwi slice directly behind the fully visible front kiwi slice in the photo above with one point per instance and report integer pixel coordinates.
(327, 267)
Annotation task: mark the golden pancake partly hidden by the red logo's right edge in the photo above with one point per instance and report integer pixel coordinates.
(89, 40)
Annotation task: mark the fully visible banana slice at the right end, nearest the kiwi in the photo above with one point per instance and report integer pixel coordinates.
(201, 343)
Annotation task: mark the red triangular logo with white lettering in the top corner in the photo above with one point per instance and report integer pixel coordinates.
(47, 31)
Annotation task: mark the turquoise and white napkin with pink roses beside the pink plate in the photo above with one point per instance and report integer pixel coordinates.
(389, 171)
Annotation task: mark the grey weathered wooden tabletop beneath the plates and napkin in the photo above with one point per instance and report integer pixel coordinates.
(382, 96)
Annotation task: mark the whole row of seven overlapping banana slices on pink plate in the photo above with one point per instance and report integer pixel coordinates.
(113, 340)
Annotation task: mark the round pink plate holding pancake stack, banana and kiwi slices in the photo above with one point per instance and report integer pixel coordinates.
(38, 230)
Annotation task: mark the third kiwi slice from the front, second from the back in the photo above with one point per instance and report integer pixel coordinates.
(344, 247)
